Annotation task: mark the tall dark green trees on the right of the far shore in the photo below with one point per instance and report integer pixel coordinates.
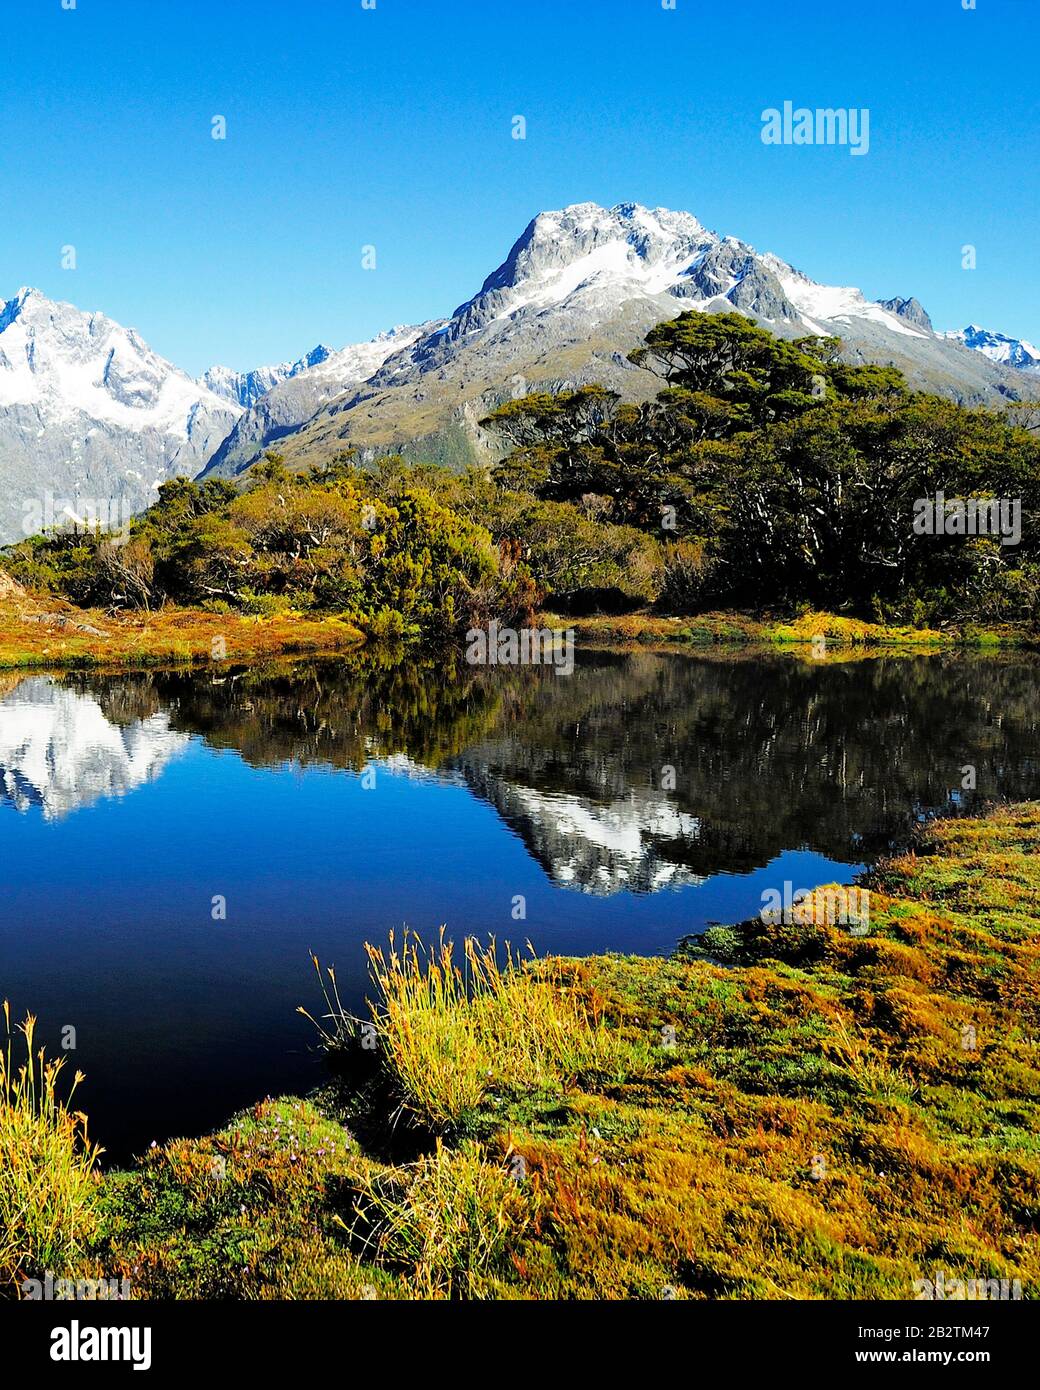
(772, 475)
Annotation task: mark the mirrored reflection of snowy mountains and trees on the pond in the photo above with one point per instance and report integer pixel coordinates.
(640, 772)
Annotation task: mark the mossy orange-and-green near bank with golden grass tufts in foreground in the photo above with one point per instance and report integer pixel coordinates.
(802, 1114)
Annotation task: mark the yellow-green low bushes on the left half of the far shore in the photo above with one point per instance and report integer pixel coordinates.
(407, 566)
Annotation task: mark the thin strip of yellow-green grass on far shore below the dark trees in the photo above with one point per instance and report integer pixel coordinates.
(804, 632)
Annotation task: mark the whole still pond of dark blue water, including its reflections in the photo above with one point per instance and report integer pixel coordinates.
(631, 804)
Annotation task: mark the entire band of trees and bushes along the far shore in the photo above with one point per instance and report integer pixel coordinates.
(765, 475)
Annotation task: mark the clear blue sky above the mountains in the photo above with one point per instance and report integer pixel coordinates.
(393, 129)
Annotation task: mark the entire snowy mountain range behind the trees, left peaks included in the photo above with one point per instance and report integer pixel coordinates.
(88, 411)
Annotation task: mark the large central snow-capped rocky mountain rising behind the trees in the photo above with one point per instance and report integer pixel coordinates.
(578, 291)
